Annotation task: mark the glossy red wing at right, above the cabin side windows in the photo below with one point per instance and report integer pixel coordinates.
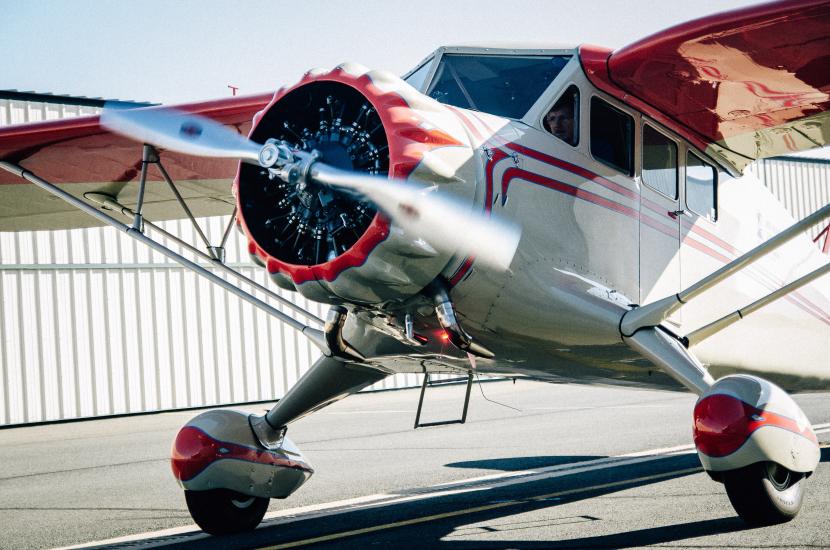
(742, 85)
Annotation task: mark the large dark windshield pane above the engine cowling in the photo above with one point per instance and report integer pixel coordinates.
(504, 85)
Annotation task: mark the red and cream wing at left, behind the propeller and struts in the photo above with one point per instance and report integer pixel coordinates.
(81, 157)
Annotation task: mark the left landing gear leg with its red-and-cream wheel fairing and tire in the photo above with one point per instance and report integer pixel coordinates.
(230, 463)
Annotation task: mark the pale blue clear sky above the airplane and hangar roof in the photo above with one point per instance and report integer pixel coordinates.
(177, 51)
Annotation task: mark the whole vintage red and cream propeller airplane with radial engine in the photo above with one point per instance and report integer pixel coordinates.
(569, 213)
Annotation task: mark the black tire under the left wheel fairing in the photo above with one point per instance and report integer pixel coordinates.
(223, 512)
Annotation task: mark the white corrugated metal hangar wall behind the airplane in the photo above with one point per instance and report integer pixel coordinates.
(91, 324)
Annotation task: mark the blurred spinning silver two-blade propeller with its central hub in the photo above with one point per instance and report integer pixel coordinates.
(443, 221)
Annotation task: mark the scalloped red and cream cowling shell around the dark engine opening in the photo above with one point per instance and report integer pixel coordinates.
(425, 142)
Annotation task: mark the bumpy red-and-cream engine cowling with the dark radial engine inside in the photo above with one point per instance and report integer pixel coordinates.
(331, 246)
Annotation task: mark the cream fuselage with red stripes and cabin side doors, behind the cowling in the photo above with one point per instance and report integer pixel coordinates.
(599, 239)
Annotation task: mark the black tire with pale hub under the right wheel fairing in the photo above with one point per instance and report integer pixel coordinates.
(765, 493)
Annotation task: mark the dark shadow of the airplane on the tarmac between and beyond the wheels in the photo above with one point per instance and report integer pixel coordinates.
(435, 522)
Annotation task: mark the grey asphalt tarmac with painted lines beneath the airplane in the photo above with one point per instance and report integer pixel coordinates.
(574, 467)
